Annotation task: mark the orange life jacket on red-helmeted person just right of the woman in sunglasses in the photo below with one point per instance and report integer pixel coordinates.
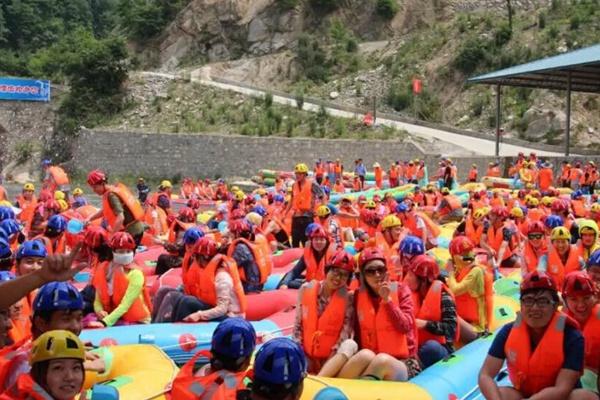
(430, 309)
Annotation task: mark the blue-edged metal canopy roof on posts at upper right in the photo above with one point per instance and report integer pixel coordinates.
(552, 73)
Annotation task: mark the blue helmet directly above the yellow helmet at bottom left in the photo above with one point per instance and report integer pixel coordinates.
(55, 296)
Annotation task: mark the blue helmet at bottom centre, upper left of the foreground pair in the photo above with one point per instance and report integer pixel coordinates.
(234, 338)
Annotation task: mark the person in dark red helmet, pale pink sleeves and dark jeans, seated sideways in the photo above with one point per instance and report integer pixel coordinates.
(212, 286)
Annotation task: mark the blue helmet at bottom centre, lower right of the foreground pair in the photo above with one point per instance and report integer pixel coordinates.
(280, 361)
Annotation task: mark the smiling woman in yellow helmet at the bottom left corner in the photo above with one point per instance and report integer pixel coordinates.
(57, 371)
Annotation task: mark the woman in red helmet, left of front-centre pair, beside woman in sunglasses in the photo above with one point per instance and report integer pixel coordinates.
(325, 317)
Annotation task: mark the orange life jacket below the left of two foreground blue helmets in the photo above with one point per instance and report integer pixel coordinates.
(218, 385)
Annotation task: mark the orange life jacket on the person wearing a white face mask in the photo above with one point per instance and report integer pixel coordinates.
(141, 307)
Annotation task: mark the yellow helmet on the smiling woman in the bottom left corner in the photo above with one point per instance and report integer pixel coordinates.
(54, 345)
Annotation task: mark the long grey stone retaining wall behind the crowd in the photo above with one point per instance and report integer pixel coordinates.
(168, 155)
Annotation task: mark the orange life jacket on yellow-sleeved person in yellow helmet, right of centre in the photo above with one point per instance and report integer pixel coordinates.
(467, 306)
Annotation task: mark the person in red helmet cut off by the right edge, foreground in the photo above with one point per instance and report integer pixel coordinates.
(581, 300)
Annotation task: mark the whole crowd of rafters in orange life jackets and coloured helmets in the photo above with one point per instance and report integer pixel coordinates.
(373, 301)
